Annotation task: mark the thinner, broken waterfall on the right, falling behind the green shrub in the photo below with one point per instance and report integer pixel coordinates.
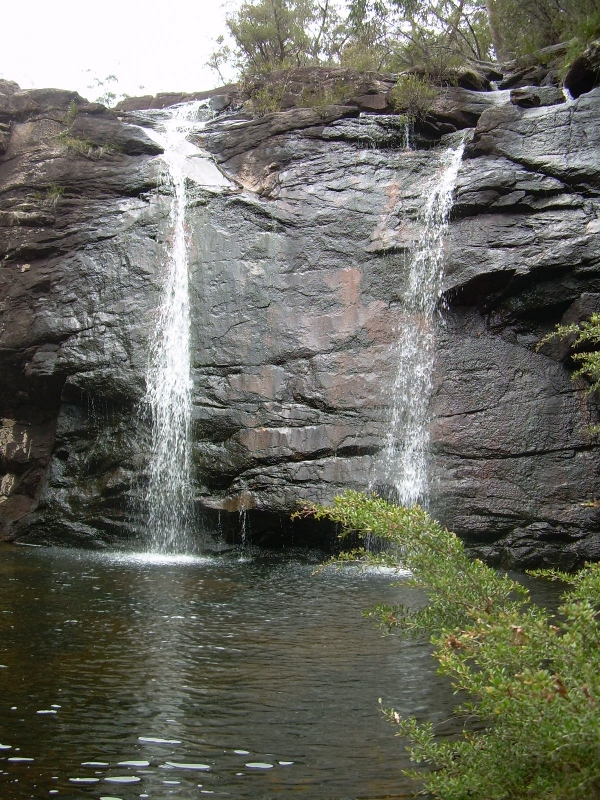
(405, 455)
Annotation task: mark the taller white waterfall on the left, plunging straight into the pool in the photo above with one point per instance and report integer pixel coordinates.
(168, 382)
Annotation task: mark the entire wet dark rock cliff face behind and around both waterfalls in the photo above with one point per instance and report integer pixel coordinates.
(297, 279)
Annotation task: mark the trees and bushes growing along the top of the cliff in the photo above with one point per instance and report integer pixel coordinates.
(434, 35)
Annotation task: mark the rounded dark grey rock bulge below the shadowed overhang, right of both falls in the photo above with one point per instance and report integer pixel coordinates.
(511, 430)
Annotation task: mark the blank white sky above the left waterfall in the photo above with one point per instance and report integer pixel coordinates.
(67, 43)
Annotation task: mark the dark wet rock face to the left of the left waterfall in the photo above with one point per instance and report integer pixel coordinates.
(79, 217)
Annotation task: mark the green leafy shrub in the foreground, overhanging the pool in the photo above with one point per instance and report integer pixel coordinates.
(531, 718)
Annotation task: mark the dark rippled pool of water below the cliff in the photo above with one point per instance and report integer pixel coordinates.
(239, 676)
